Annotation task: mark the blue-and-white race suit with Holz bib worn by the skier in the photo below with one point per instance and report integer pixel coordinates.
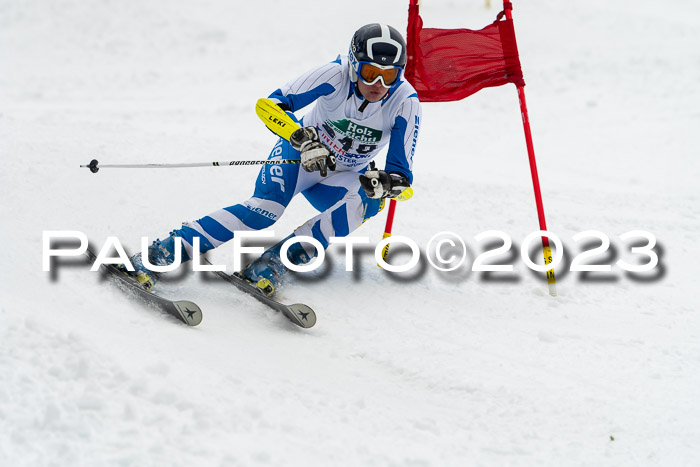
(354, 136)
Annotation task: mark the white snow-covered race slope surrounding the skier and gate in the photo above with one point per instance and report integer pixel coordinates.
(411, 369)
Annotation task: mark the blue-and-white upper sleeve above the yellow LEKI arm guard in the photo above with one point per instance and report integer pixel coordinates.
(308, 87)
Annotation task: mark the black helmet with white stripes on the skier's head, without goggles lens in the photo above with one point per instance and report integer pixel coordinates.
(376, 43)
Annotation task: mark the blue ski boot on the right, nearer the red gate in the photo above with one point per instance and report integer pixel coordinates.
(266, 272)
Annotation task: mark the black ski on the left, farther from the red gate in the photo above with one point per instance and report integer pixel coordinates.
(184, 310)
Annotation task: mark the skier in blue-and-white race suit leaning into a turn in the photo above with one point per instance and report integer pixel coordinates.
(362, 103)
